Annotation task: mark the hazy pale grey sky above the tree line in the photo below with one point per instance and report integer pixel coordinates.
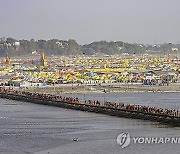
(86, 21)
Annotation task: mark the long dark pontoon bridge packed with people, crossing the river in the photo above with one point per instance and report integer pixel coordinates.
(168, 116)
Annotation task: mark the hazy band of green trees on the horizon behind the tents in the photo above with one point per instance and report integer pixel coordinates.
(71, 47)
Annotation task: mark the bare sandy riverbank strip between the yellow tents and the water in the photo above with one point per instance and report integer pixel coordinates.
(115, 87)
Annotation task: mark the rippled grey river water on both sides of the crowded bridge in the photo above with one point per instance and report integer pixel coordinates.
(33, 128)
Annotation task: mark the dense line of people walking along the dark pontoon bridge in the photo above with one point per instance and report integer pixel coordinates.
(113, 105)
